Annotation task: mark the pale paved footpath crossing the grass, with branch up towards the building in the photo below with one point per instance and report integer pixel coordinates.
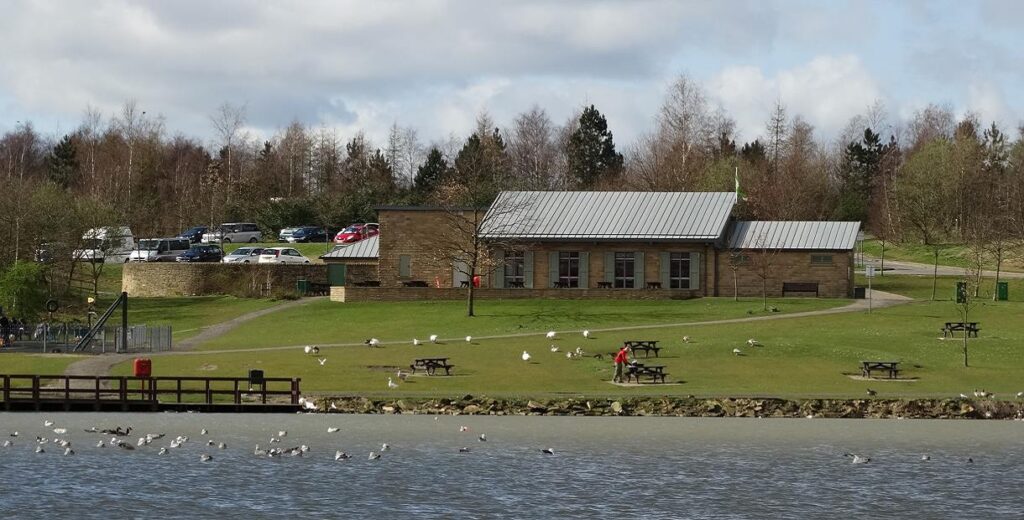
(102, 365)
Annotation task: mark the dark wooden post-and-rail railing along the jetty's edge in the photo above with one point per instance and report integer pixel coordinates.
(133, 389)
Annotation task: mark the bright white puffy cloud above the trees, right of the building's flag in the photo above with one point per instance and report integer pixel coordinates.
(827, 92)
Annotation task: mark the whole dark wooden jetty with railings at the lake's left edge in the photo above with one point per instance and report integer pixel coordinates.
(126, 394)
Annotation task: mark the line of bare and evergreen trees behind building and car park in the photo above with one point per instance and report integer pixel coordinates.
(934, 178)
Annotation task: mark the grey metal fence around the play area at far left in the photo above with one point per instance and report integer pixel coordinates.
(64, 338)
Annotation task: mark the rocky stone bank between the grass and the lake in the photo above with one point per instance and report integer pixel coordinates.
(682, 407)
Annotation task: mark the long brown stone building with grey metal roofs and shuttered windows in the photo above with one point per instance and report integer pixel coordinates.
(604, 245)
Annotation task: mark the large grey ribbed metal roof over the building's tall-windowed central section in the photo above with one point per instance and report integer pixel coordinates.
(609, 215)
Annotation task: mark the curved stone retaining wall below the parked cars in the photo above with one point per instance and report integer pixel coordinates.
(160, 280)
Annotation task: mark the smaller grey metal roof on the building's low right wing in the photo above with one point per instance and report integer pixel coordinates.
(797, 235)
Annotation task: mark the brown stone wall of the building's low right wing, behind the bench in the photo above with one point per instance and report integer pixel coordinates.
(835, 281)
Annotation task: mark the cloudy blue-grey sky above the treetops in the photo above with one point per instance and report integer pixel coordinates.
(436, 65)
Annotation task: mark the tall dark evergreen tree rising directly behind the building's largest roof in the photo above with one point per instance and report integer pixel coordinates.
(591, 151)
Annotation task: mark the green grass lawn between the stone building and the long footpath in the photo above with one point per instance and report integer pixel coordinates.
(330, 323)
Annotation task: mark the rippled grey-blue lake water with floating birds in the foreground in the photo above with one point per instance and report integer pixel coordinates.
(603, 468)
